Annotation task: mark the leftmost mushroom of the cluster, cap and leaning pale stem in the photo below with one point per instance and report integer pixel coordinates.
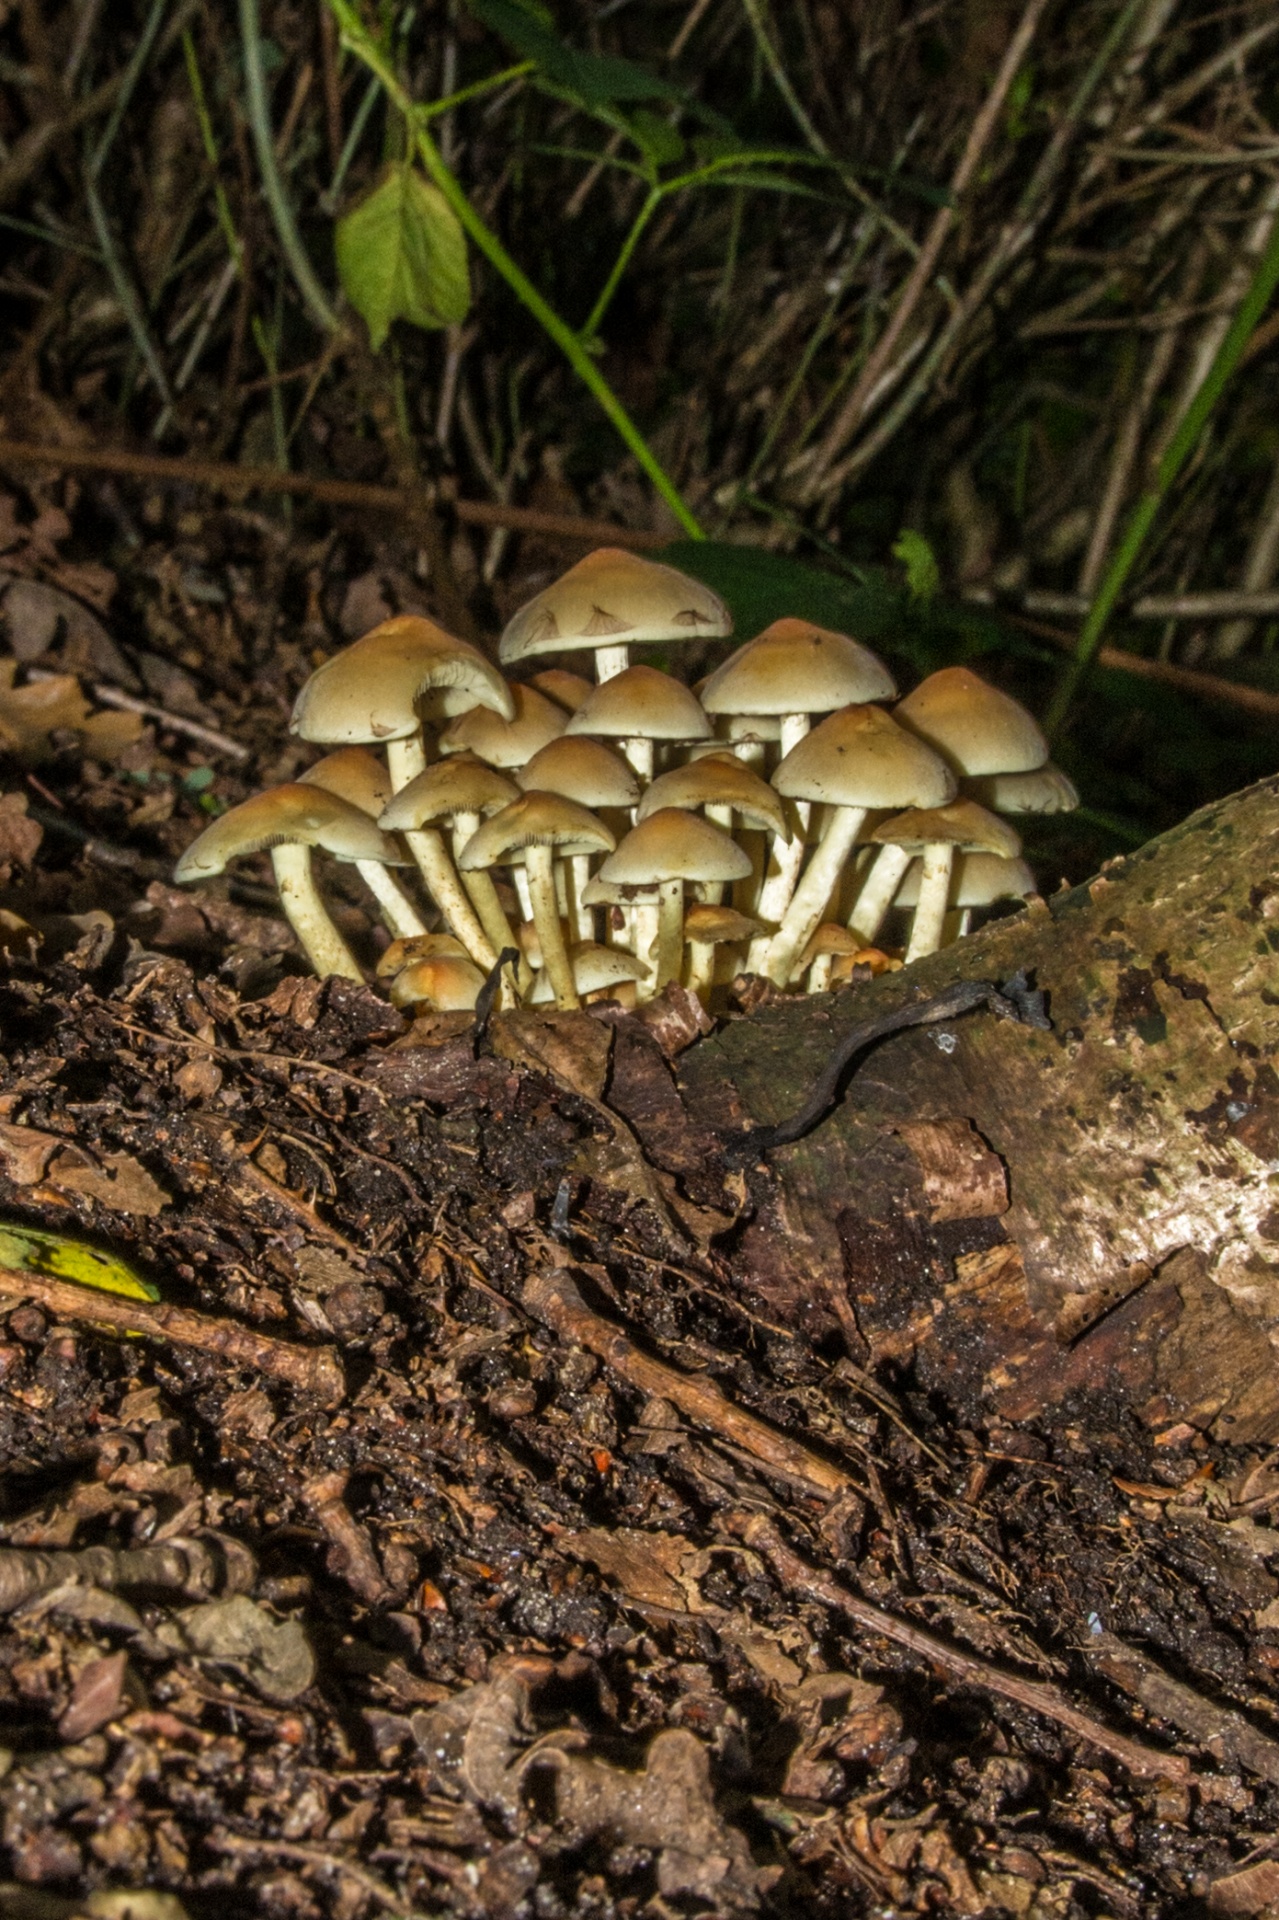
(291, 821)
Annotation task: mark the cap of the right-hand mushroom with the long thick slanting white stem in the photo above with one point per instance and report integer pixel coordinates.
(861, 757)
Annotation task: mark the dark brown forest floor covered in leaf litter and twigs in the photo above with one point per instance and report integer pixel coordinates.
(410, 1583)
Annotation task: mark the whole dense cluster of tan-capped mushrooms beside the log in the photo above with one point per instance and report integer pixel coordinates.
(627, 832)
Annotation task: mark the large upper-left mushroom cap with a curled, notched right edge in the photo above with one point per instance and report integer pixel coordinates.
(377, 688)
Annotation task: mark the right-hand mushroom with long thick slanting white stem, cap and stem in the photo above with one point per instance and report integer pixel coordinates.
(854, 761)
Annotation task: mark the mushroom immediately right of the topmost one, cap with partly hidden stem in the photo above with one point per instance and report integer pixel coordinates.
(790, 673)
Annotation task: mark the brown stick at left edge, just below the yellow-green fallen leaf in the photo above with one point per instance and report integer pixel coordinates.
(316, 1370)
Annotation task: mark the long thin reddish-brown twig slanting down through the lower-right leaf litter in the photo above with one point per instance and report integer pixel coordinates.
(1146, 1764)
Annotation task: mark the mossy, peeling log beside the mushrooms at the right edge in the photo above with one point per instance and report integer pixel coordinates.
(1032, 1216)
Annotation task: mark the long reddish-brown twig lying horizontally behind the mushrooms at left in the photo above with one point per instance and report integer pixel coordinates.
(229, 479)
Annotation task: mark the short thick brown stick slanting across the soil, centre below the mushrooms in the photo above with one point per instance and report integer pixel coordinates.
(556, 1301)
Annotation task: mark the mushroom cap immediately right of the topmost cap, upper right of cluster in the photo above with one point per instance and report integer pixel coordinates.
(798, 669)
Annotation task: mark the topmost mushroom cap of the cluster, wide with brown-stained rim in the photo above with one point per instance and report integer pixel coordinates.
(614, 598)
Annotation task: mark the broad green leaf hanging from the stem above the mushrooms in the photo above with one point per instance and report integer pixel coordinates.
(402, 256)
